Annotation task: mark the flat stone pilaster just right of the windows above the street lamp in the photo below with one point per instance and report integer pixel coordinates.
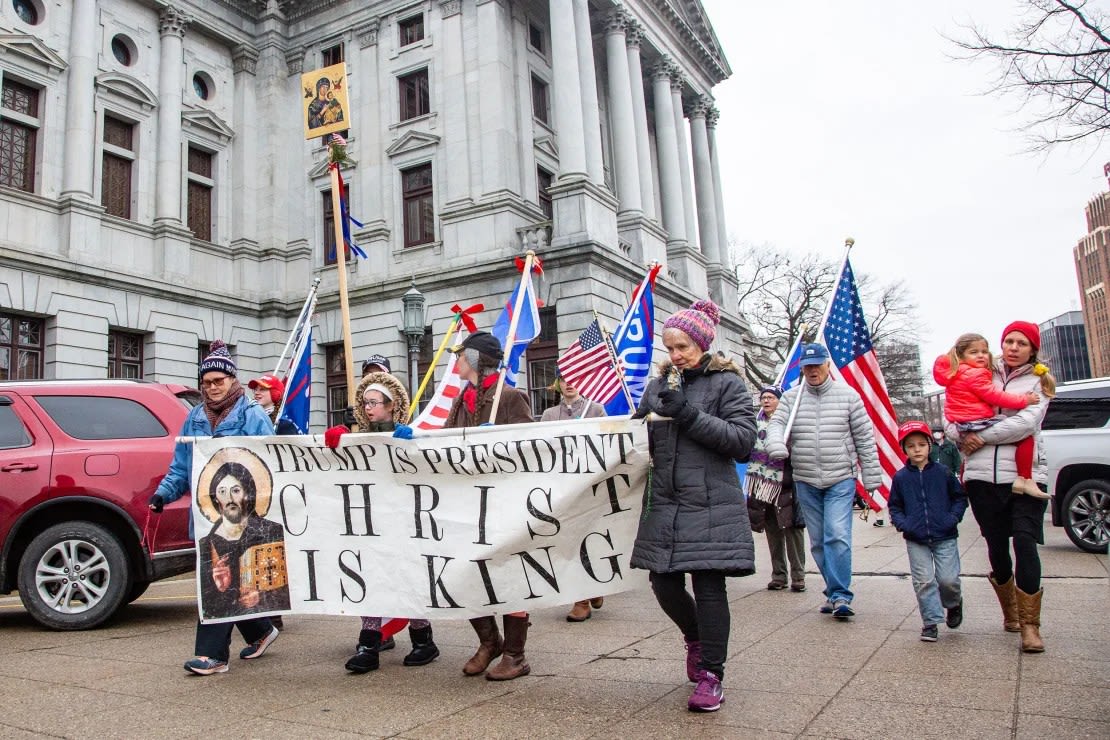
(458, 161)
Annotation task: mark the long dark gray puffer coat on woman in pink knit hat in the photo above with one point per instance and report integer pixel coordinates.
(694, 513)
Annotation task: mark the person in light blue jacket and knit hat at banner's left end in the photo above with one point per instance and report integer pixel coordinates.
(227, 412)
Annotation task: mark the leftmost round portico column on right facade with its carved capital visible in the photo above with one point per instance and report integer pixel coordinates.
(621, 113)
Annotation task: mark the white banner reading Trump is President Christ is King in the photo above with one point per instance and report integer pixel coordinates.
(451, 525)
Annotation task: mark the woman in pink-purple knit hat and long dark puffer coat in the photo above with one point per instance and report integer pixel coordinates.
(695, 521)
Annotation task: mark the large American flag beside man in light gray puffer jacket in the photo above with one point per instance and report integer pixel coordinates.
(850, 344)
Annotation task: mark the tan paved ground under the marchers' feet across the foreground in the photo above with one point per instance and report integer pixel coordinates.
(792, 672)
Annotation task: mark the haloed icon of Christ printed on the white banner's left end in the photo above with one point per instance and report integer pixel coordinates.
(243, 560)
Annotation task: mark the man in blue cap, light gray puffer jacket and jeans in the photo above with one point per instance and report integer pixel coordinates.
(831, 434)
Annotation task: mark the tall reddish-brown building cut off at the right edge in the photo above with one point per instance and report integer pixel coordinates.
(1093, 269)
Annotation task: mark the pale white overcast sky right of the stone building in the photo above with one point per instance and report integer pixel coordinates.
(850, 119)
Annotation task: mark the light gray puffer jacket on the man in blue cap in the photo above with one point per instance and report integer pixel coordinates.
(831, 432)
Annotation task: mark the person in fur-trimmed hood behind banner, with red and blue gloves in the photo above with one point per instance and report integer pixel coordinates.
(385, 408)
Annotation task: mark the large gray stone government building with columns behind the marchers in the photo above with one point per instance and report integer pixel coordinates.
(157, 192)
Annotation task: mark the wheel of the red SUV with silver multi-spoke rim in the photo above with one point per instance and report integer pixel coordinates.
(74, 576)
